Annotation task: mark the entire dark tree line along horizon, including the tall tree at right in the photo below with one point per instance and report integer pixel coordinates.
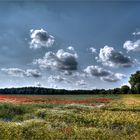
(134, 89)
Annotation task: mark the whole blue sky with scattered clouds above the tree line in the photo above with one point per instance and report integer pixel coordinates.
(69, 44)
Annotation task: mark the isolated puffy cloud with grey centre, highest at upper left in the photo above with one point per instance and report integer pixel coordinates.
(40, 38)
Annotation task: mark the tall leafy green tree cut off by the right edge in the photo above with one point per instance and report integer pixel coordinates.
(135, 82)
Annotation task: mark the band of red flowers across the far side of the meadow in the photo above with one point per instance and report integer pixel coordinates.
(56, 99)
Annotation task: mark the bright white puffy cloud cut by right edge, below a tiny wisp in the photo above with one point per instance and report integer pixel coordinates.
(132, 45)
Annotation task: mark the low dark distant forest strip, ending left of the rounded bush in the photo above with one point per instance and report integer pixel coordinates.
(49, 91)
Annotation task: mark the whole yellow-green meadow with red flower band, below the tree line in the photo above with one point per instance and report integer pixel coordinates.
(100, 117)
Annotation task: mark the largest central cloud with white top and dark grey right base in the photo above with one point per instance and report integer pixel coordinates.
(61, 60)
